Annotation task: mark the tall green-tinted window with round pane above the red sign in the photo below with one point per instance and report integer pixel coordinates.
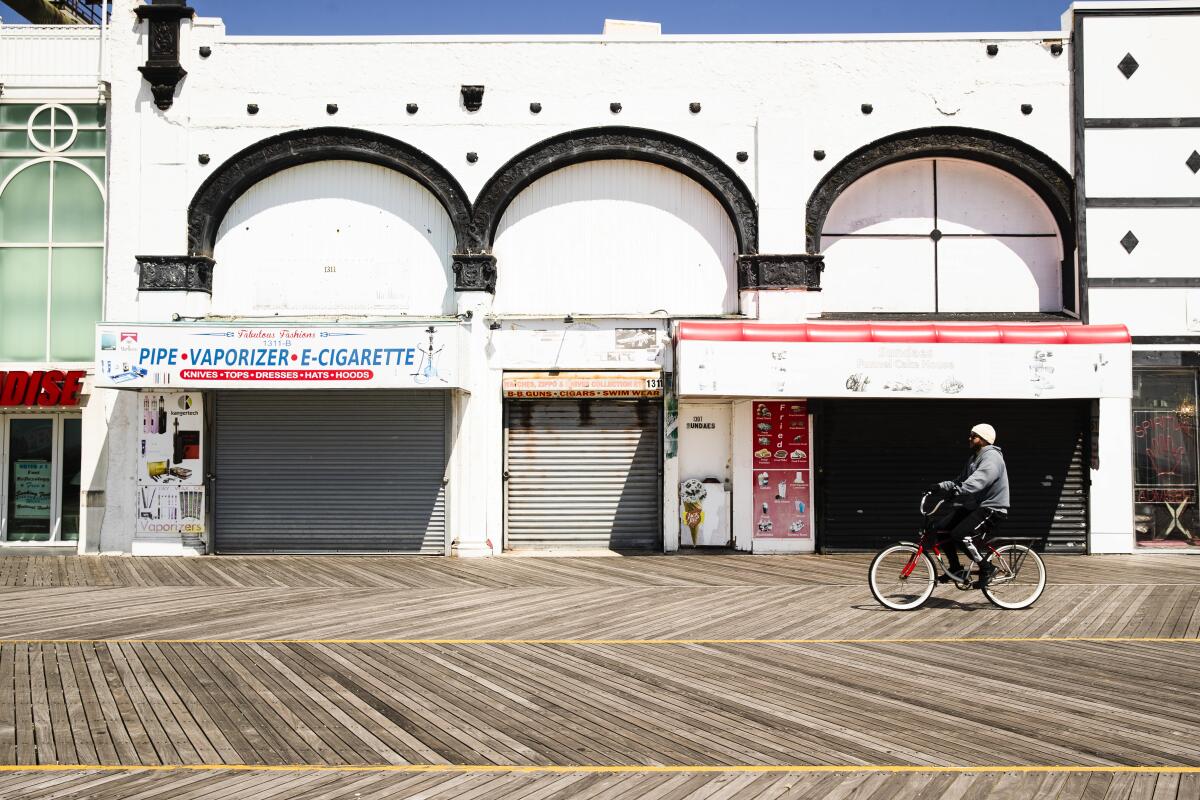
(52, 231)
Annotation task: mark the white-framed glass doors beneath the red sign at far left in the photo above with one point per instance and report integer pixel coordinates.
(40, 471)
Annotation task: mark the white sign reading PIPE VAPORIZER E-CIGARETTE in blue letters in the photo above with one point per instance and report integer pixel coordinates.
(280, 357)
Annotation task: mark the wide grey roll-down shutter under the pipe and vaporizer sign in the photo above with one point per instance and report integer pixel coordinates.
(331, 472)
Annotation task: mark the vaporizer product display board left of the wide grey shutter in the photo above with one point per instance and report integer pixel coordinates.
(171, 467)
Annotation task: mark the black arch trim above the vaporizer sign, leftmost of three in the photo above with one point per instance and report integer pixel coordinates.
(263, 159)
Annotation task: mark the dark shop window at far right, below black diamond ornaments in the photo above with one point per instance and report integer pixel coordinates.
(1165, 444)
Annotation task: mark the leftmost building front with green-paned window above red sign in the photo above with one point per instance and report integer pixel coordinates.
(53, 151)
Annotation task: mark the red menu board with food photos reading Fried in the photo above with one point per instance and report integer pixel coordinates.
(783, 485)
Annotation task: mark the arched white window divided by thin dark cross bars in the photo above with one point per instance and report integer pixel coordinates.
(941, 236)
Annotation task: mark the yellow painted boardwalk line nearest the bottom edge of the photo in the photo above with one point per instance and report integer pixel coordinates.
(590, 768)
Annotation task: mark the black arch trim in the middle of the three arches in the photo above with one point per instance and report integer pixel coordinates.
(609, 142)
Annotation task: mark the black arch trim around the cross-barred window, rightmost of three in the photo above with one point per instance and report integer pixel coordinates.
(1033, 167)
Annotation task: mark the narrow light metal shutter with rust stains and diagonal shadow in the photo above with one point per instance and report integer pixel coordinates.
(584, 474)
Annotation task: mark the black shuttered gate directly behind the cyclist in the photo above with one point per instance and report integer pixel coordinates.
(877, 459)
